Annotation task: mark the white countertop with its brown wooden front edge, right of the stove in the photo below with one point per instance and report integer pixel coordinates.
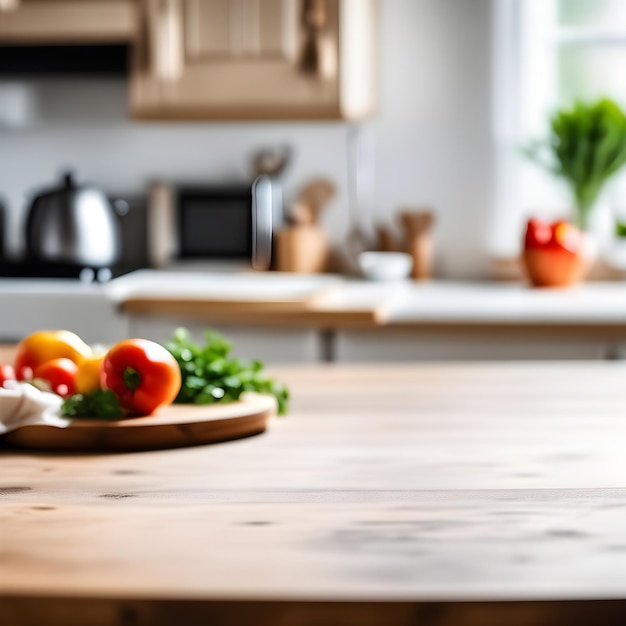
(350, 302)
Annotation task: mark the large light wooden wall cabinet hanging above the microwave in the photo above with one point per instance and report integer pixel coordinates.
(254, 59)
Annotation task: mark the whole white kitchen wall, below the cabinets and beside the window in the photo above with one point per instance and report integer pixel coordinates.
(431, 136)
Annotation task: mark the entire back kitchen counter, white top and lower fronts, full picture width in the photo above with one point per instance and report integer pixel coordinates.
(326, 317)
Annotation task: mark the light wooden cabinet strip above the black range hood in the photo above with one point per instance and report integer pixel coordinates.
(67, 21)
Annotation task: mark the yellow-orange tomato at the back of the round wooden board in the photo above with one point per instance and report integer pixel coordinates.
(46, 345)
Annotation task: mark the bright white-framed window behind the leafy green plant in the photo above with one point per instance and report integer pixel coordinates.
(548, 53)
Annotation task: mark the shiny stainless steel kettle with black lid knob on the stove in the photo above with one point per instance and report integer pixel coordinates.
(73, 224)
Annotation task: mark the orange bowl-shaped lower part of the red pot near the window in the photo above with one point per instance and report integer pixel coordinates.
(554, 268)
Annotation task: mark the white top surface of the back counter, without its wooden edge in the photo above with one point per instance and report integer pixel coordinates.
(399, 302)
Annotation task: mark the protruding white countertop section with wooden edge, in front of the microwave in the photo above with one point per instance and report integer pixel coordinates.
(270, 298)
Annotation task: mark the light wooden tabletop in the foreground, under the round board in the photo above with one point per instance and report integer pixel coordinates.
(466, 490)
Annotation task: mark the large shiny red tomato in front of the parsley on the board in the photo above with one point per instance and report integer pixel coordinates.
(142, 374)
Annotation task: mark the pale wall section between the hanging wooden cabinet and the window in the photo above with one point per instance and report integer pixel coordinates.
(434, 130)
